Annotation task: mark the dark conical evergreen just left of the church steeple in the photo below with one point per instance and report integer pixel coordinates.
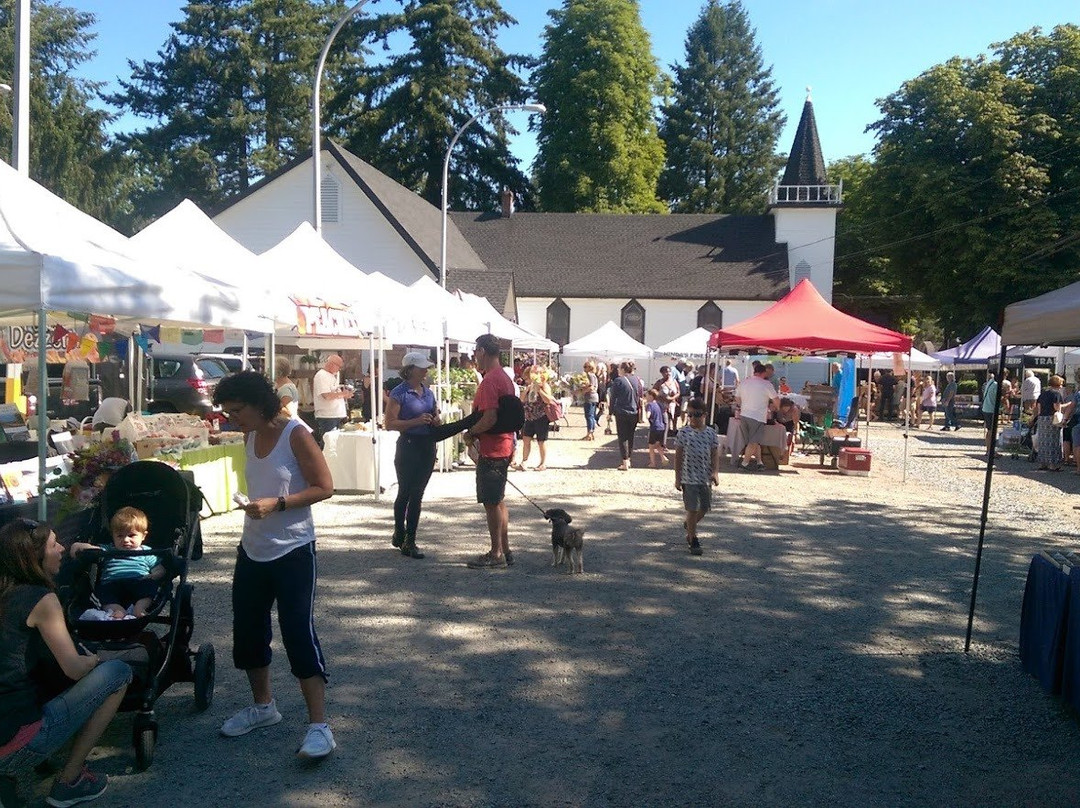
(722, 126)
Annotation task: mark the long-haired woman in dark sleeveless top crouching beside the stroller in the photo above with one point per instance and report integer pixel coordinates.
(35, 724)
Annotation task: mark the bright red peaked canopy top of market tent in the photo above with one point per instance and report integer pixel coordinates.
(804, 324)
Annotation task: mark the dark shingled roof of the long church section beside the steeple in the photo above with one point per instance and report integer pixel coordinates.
(678, 257)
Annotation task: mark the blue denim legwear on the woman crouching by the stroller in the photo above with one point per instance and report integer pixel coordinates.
(69, 713)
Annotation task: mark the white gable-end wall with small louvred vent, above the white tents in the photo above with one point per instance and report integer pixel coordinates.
(362, 235)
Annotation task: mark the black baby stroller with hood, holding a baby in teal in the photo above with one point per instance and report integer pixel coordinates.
(157, 647)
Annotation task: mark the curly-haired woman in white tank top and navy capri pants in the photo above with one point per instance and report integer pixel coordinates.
(276, 561)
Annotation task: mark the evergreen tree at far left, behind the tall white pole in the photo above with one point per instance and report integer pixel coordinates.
(71, 152)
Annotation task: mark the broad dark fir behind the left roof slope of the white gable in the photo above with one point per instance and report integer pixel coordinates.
(228, 98)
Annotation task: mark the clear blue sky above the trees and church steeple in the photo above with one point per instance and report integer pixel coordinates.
(852, 52)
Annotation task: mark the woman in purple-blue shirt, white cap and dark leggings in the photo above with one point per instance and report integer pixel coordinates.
(412, 411)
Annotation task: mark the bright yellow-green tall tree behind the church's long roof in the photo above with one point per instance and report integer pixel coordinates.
(599, 149)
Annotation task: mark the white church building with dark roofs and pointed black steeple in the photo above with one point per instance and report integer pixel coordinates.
(565, 275)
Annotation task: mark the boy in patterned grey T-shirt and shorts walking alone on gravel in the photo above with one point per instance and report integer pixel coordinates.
(697, 468)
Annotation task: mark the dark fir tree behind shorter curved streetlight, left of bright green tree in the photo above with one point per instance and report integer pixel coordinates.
(401, 115)
